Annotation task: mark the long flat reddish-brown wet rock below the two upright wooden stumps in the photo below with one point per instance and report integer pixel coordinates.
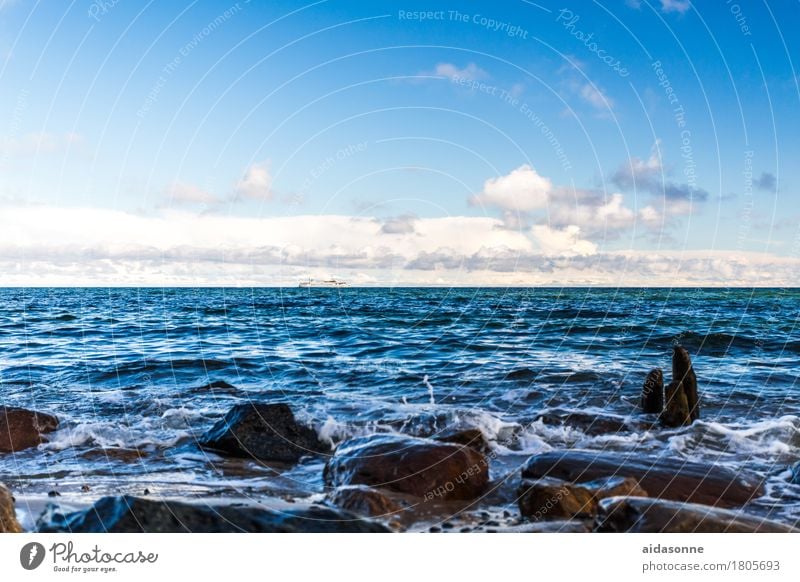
(660, 477)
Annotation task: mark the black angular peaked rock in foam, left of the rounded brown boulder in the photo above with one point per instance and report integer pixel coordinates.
(268, 432)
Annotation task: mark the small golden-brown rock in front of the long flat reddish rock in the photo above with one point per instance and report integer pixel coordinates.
(548, 498)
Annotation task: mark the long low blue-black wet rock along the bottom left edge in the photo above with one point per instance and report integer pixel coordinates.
(128, 514)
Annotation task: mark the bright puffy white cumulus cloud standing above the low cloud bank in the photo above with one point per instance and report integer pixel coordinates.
(522, 190)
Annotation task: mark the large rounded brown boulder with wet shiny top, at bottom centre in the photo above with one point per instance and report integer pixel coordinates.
(418, 467)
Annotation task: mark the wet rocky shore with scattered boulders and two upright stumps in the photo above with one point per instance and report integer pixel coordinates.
(395, 482)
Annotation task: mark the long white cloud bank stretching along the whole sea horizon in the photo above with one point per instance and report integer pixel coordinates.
(79, 246)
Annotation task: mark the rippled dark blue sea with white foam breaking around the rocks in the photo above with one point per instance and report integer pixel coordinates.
(126, 368)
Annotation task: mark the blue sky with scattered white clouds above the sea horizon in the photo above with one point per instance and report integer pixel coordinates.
(515, 143)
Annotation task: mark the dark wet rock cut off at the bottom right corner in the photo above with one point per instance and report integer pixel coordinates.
(643, 515)
